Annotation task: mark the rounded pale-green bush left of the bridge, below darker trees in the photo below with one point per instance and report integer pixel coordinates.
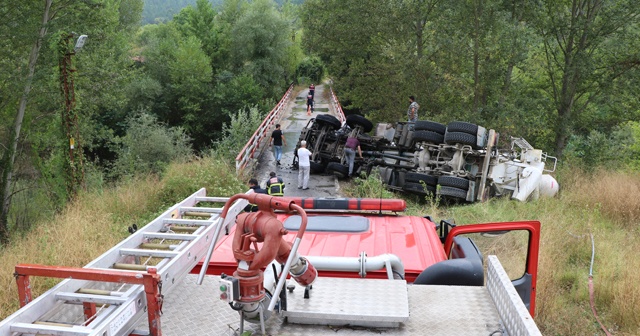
(149, 146)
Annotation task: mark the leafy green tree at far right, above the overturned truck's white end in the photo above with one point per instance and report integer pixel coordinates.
(590, 46)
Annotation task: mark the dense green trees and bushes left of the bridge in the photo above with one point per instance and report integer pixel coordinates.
(136, 98)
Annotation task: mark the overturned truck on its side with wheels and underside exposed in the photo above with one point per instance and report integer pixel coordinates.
(459, 161)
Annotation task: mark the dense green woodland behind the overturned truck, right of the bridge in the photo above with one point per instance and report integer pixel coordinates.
(548, 70)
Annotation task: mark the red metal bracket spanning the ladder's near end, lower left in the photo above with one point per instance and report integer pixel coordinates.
(150, 280)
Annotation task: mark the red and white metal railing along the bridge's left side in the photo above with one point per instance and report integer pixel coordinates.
(255, 143)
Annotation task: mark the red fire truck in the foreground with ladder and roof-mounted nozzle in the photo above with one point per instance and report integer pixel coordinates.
(297, 266)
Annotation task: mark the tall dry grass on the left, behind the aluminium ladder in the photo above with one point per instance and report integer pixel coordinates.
(96, 221)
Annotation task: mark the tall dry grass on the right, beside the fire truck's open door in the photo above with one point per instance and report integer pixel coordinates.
(605, 205)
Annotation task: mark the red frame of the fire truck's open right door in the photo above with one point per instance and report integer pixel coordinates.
(532, 252)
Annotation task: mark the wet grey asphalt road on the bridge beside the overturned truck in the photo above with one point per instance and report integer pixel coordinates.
(293, 121)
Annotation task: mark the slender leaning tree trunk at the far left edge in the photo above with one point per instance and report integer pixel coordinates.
(10, 154)
